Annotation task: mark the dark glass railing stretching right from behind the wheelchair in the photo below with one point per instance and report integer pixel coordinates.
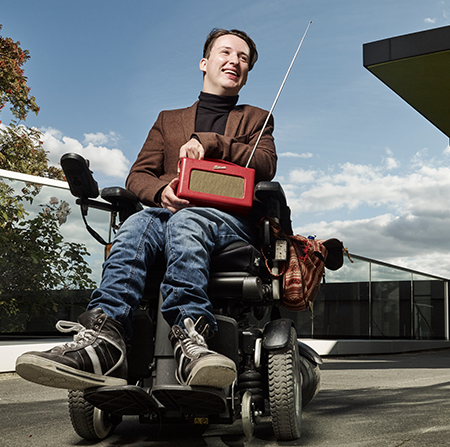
(368, 299)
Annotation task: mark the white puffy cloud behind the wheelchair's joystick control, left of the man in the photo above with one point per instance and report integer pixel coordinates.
(111, 162)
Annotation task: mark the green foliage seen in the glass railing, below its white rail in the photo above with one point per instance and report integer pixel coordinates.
(36, 261)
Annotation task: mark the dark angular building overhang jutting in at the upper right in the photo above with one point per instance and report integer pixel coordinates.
(417, 68)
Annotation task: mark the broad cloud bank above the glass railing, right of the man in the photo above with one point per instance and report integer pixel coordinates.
(409, 214)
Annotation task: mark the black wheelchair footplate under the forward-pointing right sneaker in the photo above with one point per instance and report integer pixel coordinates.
(191, 400)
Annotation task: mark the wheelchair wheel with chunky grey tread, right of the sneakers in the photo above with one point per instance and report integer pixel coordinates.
(285, 390)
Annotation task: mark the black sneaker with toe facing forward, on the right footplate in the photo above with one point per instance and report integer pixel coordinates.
(197, 365)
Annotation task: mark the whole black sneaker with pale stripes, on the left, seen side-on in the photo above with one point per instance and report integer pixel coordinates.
(95, 357)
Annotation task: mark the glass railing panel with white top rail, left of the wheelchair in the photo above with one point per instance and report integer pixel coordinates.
(48, 262)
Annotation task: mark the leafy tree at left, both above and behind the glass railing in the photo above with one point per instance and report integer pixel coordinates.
(35, 260)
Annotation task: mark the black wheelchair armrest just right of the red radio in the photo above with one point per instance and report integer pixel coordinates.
(271, 194)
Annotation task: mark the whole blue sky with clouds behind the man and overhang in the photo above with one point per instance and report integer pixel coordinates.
(356, 161)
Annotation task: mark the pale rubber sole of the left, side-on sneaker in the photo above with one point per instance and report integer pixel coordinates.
(56, 375)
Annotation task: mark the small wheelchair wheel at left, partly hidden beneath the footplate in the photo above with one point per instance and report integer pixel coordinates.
(89, 422)
